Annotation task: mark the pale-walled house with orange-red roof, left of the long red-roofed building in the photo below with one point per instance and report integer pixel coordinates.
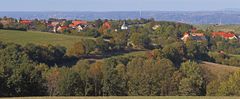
(199, 37)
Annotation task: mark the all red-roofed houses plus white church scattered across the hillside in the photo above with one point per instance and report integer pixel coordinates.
(59, 25)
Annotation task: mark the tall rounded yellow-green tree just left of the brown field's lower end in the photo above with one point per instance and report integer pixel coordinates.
(192, 82)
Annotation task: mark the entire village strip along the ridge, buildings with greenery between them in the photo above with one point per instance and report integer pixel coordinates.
(63, 25)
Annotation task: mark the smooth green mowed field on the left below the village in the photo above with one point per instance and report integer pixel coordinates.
(40, 38)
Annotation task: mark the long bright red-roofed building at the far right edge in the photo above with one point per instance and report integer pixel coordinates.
(226, 35)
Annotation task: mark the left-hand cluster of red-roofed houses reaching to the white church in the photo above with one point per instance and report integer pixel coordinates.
(59, 25)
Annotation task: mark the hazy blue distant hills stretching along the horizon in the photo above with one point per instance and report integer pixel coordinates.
(226, 16)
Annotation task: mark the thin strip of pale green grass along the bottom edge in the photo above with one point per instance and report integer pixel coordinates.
(129, 97)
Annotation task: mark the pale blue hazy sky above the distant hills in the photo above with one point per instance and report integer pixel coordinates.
(117, 5)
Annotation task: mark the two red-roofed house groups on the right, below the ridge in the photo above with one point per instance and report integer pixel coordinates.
(199, 37)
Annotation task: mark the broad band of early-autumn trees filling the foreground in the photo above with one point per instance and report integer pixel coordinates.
(24, 71)
